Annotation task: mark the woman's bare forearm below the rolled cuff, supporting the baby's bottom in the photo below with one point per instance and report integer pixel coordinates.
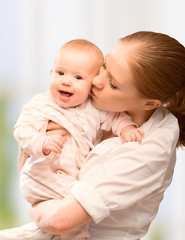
(58, 216)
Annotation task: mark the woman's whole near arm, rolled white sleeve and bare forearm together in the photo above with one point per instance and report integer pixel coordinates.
(116, 178)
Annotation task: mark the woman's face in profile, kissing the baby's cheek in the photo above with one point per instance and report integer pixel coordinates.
(113, 89)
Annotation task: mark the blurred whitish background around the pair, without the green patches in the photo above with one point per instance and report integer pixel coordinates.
(31, 31)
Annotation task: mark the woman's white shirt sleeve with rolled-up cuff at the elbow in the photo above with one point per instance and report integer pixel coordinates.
(123, 174)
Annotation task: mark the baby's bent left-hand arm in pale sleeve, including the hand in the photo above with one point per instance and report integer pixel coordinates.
(30, 134)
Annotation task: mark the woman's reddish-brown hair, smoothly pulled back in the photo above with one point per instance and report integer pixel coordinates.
(157, 63)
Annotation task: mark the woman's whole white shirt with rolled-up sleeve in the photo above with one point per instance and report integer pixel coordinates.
(122, 185)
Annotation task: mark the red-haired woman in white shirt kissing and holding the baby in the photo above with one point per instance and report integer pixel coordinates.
(120, 186)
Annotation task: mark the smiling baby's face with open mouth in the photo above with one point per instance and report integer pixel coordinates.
(71, 78)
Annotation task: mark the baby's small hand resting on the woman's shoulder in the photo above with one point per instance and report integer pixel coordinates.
(132, 134)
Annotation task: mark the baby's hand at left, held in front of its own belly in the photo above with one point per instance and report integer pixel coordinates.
(53, 143)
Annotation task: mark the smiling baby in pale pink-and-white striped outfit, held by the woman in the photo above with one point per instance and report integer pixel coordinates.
(52, 162)
